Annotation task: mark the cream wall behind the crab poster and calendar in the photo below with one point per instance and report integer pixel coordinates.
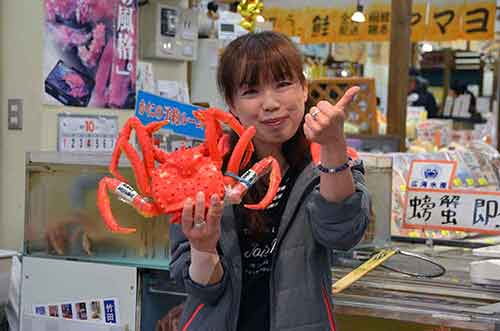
(21, 46)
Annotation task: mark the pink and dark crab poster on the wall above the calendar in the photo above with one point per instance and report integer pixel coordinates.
(90, 53)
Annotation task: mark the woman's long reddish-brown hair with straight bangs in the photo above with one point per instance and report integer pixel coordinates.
(255, 59)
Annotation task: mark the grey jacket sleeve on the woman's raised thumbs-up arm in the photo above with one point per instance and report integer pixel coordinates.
(340, 225)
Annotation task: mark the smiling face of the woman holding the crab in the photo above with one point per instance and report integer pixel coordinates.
(275, 109)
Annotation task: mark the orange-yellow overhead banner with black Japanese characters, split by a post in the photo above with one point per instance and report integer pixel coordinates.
(436, 20)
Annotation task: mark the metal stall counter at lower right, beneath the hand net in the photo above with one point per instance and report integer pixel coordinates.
(387, 300)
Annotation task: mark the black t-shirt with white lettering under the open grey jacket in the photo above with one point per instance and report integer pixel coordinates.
(257, 258)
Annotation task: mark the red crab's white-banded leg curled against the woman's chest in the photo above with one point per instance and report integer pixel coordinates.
(250, 177)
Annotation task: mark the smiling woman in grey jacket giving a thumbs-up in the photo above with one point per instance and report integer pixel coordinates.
(263, 265)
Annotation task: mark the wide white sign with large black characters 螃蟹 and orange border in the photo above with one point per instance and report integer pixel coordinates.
(454, 210)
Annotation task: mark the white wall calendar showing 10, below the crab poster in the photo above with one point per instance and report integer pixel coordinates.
(87, 133)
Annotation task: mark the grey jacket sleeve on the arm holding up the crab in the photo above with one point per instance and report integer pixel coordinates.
(179, 269)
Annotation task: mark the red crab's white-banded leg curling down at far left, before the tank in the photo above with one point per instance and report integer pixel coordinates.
(128, 195)
